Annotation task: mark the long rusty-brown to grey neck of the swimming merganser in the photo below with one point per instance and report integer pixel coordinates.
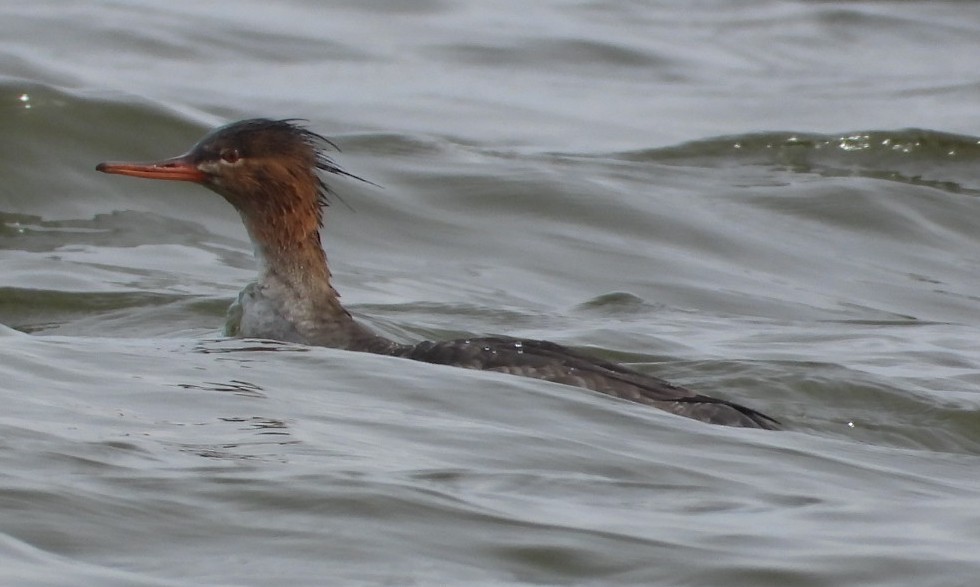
(295, 278)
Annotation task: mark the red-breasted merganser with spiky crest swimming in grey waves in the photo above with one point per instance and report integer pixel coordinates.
(269, 171)
